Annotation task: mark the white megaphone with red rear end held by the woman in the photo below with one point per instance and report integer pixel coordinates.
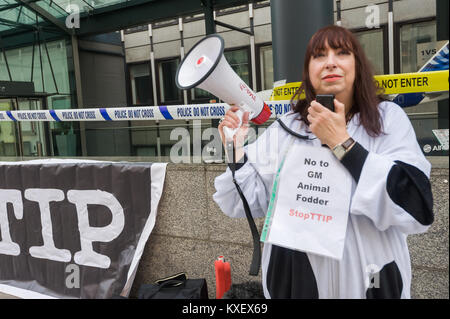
(205, 67)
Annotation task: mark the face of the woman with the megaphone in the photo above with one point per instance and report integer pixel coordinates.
(332, 71)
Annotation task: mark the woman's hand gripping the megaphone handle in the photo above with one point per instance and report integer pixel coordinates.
(231, 120)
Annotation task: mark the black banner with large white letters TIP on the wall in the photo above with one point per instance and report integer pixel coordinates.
(75, 230)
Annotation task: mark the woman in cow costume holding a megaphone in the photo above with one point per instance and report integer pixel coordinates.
(390, 189)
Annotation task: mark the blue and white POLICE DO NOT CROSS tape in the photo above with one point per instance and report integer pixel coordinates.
(134, 113)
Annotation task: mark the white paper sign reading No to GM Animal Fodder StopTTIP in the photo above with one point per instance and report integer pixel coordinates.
(311, 206)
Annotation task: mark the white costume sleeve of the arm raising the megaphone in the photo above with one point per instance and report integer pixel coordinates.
(254, 177)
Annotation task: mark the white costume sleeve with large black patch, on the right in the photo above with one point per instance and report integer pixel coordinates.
(393, 187)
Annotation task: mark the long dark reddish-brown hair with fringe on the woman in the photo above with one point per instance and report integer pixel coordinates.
(366, 93)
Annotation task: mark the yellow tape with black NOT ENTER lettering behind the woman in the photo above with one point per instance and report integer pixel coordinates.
(419, 82)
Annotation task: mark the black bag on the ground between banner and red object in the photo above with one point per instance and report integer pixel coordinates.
(174, 287)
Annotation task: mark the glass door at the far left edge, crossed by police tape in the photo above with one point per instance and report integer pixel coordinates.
(8, 130)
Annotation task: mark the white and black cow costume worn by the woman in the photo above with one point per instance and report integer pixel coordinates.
(391, 198)
